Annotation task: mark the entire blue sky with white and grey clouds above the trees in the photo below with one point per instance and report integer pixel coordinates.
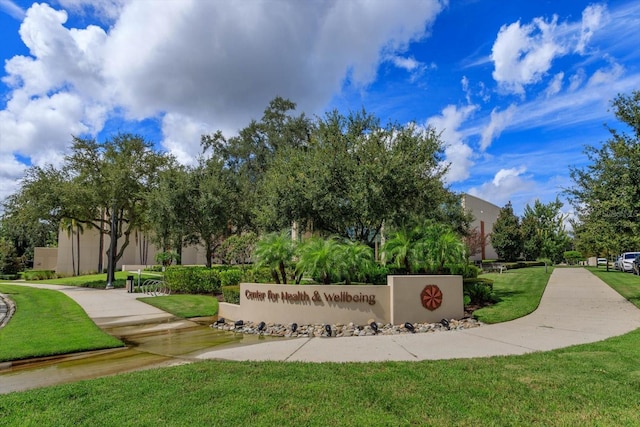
(517, 87)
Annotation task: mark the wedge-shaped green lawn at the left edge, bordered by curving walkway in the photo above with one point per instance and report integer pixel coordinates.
(48, 323)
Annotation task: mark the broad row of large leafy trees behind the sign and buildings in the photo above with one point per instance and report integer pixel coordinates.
(340, 175)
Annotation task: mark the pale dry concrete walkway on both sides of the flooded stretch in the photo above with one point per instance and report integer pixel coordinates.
(576, 308)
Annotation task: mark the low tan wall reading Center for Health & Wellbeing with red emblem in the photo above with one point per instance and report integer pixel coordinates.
(404, 299)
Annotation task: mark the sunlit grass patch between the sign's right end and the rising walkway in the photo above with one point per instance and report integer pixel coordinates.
(518, 291)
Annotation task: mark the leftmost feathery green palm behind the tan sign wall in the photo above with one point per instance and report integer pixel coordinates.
(275, 250)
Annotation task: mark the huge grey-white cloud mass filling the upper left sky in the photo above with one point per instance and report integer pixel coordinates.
(199, 65)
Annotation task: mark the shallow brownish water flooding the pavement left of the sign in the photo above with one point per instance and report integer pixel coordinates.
(148, 346)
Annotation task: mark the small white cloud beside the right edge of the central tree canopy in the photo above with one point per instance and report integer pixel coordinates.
(457, 152)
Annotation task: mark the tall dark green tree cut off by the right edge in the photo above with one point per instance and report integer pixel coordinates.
(606, 193)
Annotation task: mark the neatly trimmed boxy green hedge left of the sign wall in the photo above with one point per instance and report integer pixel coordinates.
(193, 280)
